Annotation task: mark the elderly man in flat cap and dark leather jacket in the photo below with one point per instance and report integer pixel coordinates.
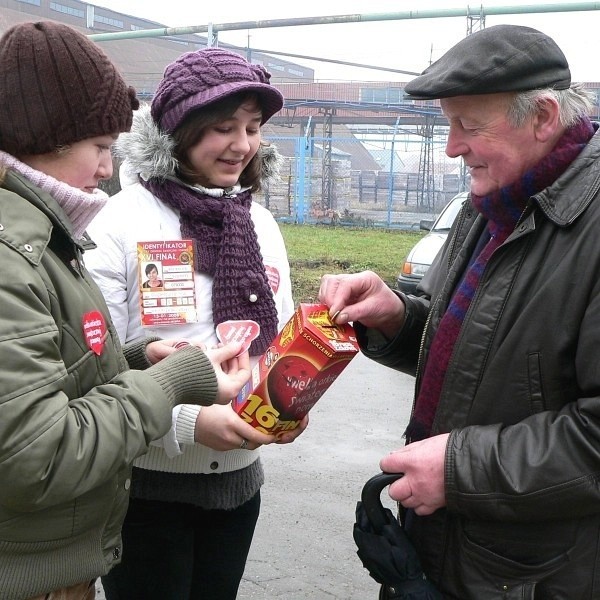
(502, 465)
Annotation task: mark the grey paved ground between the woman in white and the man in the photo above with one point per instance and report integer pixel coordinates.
(303, 547)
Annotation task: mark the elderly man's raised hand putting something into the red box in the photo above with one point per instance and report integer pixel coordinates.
(363, 297)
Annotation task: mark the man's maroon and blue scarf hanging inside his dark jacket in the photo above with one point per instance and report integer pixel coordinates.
(502, 209)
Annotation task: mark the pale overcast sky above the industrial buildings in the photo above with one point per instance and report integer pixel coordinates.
(406, 44)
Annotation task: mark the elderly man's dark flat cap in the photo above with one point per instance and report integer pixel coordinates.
(503, 58)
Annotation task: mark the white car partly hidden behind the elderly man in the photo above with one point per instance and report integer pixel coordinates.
(421, 256)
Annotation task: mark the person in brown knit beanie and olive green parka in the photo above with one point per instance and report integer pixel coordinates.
(73, 416)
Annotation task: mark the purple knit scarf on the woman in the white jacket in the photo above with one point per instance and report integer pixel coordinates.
(226, 247)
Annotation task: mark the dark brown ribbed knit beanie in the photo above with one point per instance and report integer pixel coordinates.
(57, 87)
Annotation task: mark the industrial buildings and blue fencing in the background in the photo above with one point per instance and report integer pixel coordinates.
(354, 151)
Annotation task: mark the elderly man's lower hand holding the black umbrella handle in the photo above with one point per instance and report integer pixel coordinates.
(422, 487)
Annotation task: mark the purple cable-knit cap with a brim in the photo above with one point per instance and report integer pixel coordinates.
(199, 78)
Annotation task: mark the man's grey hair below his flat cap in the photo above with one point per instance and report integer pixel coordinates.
(573, 103)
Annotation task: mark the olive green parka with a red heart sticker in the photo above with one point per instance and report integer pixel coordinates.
(73, 417)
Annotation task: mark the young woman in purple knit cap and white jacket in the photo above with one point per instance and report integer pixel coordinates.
(196, 156)
